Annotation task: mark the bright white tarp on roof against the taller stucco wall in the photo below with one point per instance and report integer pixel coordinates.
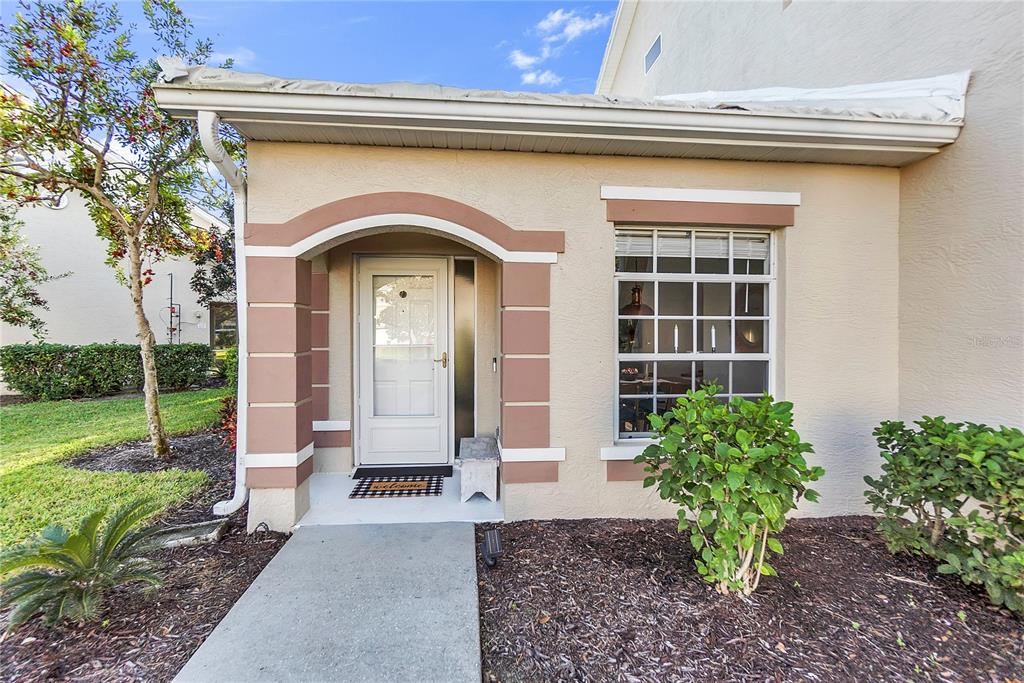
(938, 99)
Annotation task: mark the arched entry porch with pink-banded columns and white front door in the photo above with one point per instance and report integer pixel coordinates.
(382, 330)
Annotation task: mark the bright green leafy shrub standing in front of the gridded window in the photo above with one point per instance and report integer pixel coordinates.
(735, 471)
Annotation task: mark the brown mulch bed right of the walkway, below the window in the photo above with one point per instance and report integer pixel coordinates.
(620, 601)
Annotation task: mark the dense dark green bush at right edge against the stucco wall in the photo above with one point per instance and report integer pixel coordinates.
(955, 492)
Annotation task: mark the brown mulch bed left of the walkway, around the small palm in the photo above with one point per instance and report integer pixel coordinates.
(151, 638)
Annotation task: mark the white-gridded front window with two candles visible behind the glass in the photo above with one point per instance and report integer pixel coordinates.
(693, 309)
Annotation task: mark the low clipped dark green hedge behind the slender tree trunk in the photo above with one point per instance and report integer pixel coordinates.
(60, 371)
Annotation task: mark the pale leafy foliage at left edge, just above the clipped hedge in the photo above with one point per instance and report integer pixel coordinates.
(21, 275)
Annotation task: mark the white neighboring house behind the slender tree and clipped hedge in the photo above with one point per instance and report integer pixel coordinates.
(91, 306)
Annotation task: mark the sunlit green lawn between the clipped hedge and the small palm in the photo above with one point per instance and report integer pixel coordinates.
(37, 490)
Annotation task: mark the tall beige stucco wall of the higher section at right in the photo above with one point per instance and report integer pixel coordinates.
(962, 218)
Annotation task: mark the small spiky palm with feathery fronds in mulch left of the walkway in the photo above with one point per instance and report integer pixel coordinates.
(64, 576)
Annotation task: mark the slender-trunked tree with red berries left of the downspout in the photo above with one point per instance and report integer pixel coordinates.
(91, 125)
